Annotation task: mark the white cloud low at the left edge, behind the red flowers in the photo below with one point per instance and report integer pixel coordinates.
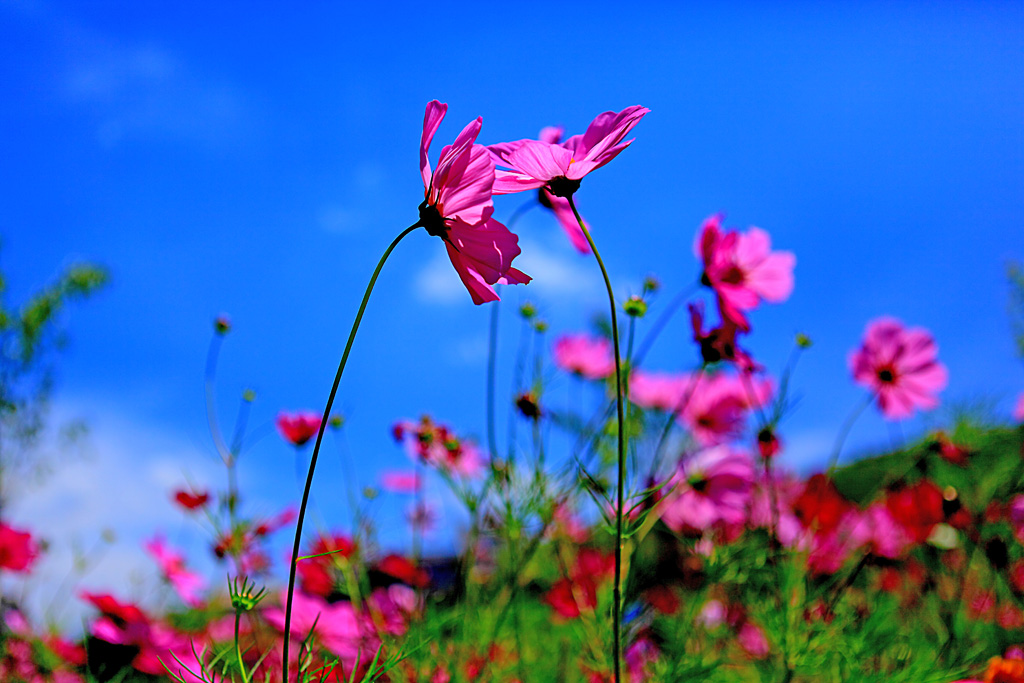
(120, 486)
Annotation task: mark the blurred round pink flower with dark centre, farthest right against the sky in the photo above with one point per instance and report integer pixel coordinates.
(901, 366)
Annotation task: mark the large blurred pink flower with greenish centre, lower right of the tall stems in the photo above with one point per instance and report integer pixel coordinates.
(710, 488)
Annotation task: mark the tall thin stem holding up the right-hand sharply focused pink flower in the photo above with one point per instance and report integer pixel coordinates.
(618, 590)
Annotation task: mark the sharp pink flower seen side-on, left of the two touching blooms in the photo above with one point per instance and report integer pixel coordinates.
(458, 209)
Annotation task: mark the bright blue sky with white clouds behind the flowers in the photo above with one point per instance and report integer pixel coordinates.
(258, 160)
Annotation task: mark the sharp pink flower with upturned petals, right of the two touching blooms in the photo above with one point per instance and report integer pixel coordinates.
(560, 167)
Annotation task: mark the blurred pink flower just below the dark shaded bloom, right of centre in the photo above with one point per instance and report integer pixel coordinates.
(717, 411)
